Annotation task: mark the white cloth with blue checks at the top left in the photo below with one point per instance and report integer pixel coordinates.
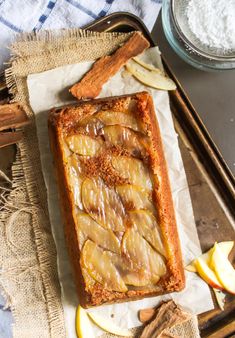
(18, 16)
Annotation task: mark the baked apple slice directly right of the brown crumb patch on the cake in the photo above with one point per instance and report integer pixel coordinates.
(132, 169)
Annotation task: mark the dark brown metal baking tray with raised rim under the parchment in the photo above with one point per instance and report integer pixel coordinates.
(211, 183)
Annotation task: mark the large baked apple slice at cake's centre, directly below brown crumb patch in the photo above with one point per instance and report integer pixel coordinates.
(103, 204)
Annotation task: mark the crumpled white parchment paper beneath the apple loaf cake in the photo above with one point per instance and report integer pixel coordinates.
(50, 89)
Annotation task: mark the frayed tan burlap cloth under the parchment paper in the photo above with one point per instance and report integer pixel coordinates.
(28, 275)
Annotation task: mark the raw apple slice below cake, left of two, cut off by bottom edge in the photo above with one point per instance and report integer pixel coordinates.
(83, 324)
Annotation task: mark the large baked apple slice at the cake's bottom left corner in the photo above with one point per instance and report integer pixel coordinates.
(101, 268)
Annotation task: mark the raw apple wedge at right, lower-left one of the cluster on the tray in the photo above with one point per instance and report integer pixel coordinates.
(207, 274)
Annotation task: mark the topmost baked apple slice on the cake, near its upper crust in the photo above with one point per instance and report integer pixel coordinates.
(123, 119)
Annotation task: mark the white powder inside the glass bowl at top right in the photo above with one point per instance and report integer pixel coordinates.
(213, 22)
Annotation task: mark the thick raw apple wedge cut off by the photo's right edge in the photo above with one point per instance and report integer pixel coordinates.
(223, 269)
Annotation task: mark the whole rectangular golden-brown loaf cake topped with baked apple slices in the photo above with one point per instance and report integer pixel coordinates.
(116, 200)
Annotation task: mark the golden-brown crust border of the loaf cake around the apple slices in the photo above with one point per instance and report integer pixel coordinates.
(65, 121)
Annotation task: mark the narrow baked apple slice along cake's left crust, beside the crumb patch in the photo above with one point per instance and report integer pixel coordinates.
(75, 181)
